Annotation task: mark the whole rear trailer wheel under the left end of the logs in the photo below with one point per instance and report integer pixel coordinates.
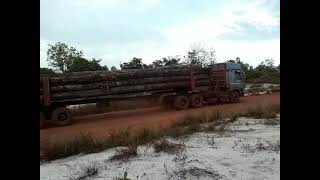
(61, 116)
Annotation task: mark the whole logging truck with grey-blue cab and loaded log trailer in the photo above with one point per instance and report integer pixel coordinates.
(178, 87)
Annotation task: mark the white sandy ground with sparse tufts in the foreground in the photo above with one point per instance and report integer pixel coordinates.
(248, 149)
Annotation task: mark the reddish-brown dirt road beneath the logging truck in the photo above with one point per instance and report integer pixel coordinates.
(101, 124)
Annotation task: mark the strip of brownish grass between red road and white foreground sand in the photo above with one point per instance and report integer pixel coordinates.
(85, 143)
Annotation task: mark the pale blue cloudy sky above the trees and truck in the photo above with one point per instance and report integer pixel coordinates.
(118, 30)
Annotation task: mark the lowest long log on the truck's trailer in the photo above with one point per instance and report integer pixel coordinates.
(126, 89)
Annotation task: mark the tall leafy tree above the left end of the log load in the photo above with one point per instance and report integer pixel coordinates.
(60, 56)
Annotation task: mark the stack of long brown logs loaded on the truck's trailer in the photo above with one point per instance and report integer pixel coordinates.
(102, 83)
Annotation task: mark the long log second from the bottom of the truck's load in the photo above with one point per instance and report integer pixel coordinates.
(110, 84)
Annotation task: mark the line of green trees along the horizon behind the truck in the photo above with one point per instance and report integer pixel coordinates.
(63, 59)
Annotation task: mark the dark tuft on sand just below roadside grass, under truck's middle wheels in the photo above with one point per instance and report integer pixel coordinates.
(165, 146)
